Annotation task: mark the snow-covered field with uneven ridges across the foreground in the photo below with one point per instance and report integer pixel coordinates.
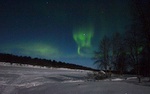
(29, 80)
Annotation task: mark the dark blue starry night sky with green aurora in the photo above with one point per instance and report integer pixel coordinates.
(61, 30)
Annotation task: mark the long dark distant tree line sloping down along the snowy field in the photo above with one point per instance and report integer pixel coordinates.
(21, 60)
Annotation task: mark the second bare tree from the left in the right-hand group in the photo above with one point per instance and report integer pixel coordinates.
(118, 53)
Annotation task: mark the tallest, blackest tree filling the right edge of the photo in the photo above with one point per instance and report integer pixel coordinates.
(141, 7)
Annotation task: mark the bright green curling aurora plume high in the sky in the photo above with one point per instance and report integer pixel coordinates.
(83, 37)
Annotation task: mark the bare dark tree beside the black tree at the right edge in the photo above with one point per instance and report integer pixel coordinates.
(134, 43)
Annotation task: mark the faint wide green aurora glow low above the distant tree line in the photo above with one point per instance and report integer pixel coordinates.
(34, 49)
